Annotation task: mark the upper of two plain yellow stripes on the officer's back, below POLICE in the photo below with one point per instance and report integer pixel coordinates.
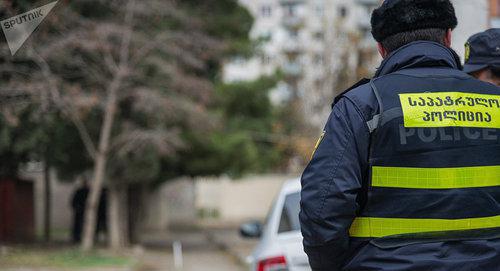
(436, 178)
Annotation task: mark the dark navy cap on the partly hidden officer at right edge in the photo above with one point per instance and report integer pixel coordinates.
(483, 51)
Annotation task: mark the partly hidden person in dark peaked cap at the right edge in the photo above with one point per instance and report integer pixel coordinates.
(482, 56)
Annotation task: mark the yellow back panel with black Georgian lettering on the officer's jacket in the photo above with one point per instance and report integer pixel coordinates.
(450, 109)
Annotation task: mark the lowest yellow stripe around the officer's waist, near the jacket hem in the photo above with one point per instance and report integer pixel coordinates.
(380, 227)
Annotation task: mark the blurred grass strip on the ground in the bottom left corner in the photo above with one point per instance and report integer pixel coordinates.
(61, 258)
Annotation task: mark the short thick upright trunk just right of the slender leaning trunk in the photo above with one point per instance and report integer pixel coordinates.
(118, 217)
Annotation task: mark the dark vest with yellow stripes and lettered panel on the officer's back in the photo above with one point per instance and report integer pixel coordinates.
(434, 158)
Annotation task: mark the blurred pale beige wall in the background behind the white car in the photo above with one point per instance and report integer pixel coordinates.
(222, 201)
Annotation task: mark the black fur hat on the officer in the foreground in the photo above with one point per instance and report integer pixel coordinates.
(397, 16)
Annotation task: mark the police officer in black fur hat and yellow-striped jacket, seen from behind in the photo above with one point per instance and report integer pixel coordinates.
(407, 173)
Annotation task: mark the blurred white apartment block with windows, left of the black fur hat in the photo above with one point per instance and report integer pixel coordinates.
(306, 40)
